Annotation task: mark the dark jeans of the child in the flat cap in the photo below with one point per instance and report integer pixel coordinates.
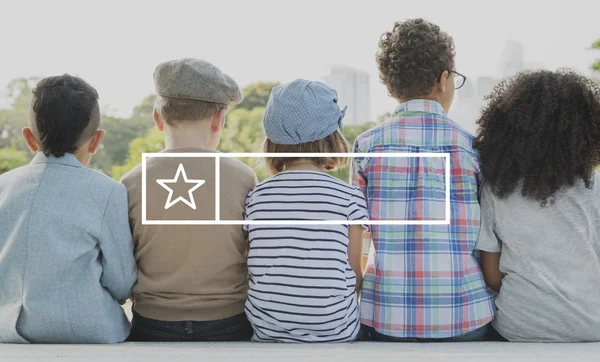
(236, 328)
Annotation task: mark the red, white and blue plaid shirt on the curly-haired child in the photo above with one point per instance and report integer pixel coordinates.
(424, 280)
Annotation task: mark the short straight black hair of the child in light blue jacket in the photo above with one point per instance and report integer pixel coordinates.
(66, 113)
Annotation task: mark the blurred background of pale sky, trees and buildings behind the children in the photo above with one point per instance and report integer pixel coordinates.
(115, 45)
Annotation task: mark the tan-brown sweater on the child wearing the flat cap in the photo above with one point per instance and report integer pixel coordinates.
(189, 272)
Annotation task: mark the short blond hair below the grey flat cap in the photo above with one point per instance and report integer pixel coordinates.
(174, 110)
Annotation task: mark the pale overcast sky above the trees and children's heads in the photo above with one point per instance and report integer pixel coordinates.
(115, 45)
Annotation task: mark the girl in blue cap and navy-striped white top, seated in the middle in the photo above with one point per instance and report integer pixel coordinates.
(304, 278)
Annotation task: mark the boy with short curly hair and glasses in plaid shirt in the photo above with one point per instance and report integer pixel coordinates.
(424, 283)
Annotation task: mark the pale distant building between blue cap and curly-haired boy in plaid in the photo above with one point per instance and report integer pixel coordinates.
(352, 86)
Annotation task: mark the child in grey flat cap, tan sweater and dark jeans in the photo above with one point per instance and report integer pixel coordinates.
(192, 279)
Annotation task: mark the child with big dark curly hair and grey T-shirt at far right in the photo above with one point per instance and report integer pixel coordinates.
(540, 224)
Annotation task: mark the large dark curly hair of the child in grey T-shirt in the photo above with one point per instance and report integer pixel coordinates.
(540, 131)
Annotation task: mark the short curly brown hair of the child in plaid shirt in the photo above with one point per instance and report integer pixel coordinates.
(413, 56)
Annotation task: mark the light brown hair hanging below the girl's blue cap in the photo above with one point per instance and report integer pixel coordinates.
(334, 143)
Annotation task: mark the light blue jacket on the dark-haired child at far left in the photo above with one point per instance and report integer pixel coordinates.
(66, 254)
